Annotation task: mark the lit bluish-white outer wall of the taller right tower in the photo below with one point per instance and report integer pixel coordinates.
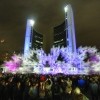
(70, 29)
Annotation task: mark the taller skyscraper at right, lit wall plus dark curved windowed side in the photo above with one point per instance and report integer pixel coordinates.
(64, 34)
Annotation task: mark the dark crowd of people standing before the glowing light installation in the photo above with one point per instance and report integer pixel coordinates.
(49, 87)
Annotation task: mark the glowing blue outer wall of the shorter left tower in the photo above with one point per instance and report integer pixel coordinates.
(28, 36)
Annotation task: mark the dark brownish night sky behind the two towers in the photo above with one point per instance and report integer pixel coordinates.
(47, 14)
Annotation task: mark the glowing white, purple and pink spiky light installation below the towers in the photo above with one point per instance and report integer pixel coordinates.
(85, 61)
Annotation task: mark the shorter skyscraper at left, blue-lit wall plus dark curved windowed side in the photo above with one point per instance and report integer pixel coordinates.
(33, 39)
